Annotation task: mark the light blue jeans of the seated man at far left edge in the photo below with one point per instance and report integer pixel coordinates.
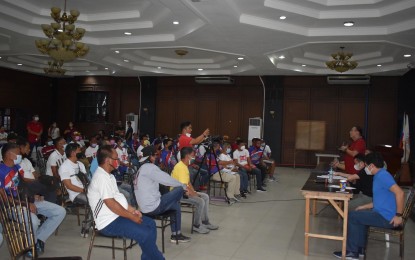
(55, 215)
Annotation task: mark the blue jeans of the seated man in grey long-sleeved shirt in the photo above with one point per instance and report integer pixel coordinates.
(171, 201)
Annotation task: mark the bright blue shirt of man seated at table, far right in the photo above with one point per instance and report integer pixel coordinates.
(384, 201)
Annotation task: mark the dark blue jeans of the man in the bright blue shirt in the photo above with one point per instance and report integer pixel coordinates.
(359, 221)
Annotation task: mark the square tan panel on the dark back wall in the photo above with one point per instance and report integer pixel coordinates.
(310, 135)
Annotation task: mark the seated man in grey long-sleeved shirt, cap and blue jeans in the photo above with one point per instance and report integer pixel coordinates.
(148, 196)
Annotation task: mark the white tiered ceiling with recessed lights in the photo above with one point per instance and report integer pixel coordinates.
(216, 33)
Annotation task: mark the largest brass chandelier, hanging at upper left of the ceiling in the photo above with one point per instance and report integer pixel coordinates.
(63, 39)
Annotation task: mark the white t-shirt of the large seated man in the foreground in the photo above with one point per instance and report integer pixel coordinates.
(104, 186)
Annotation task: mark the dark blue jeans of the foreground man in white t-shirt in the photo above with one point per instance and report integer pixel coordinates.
(145, 234)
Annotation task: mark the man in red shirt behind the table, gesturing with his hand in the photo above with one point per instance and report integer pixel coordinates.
(358, 146)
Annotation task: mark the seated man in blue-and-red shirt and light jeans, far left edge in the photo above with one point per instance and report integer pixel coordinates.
(9, 177)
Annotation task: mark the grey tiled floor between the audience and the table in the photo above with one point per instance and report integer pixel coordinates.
(265, 226)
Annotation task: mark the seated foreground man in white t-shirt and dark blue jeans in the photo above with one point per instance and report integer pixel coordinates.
(112, 214)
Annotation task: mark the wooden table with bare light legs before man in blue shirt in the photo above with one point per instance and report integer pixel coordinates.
(313, 190)
